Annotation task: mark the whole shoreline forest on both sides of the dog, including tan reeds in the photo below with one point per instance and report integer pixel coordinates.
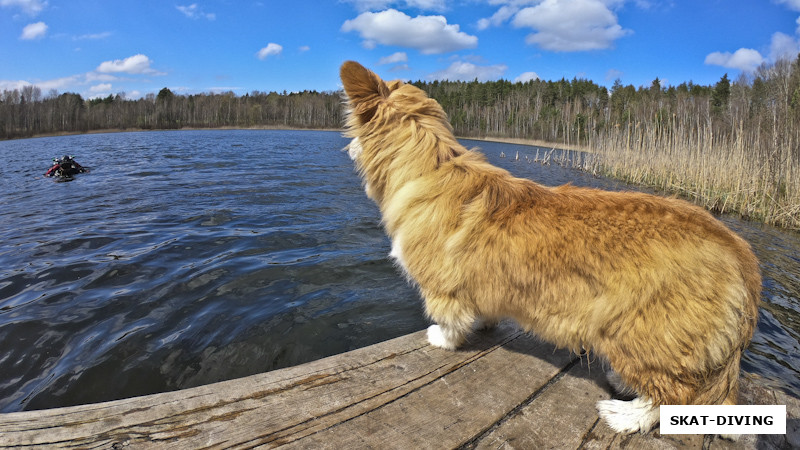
(730, 146)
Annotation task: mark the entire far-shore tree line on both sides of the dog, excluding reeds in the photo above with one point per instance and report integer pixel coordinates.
(576, 111)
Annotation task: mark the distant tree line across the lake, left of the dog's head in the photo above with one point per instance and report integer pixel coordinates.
(26, 112)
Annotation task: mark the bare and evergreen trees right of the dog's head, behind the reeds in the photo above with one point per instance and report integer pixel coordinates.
(579, 111)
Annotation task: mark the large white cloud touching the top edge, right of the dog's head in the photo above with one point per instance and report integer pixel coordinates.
(568, 26)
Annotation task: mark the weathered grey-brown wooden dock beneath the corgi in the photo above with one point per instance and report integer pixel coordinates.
(503, 390)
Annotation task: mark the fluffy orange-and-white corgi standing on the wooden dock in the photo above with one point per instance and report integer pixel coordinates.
(661, 290)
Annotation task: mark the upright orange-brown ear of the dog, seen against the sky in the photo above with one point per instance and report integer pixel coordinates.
(364, 89)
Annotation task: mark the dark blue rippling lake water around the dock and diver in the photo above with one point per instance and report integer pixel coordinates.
(189, 257)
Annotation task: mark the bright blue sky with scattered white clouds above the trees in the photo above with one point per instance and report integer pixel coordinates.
(102, 47)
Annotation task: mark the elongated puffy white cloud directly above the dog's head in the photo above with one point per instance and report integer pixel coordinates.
(428, 34)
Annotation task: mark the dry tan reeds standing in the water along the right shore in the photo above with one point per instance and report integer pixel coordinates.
(754, 175)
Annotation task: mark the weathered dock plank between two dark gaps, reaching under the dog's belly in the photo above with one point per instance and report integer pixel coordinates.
(450, 411)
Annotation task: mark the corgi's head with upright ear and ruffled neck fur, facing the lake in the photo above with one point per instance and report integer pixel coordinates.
(398, 132)
